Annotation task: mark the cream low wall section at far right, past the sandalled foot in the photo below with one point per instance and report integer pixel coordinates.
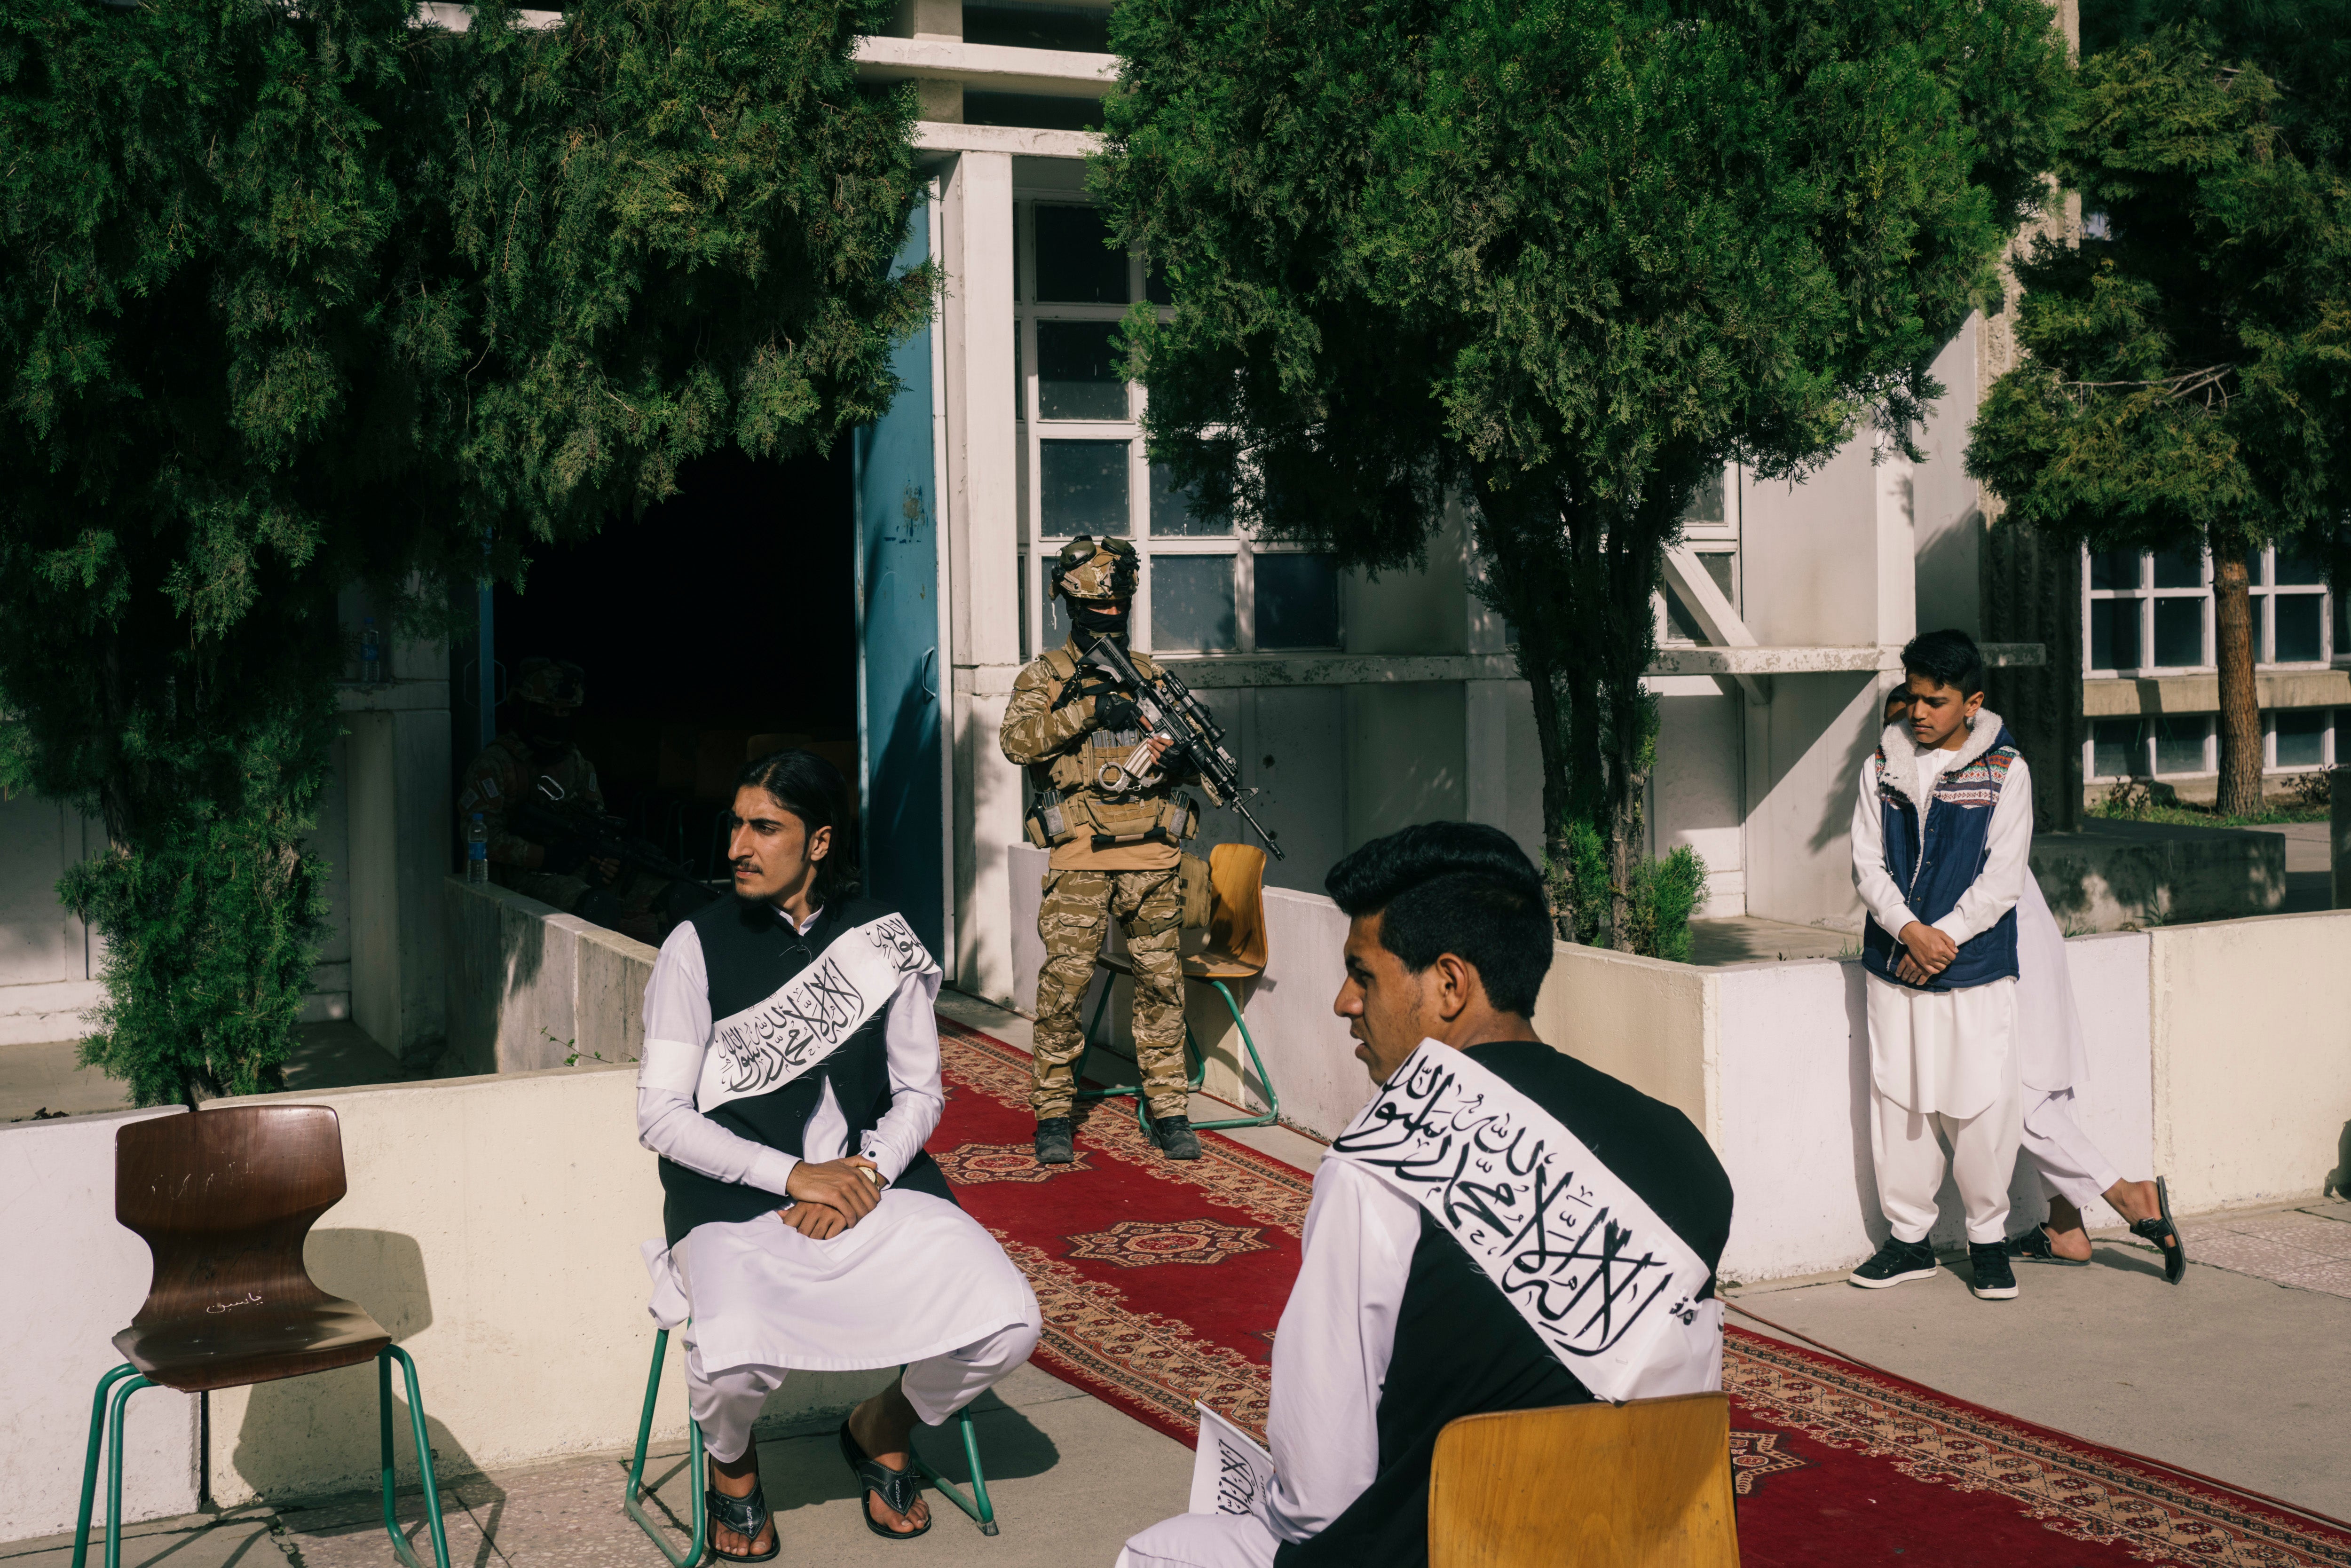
(2251, 1057)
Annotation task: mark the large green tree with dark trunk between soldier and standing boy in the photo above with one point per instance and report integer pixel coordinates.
(1562, 260)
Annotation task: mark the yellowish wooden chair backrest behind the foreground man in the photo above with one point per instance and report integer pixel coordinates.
(1645, 1485)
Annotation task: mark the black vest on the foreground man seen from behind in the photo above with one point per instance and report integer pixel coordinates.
(1463, 1348)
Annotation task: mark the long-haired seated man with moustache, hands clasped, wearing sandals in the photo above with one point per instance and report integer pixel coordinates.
(789, 1085)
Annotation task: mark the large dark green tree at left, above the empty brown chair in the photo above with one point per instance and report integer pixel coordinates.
(297, 297)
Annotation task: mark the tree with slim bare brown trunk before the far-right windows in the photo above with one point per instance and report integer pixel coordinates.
(2190, 359)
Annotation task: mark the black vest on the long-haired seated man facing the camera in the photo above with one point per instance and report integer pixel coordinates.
(749, 956)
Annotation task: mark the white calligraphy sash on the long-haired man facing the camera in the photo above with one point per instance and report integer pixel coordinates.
(772, 1043)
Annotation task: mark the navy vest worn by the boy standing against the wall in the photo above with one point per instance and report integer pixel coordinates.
(1938, 869)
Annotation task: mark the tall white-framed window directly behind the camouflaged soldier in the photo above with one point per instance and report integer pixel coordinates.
(1207, 587)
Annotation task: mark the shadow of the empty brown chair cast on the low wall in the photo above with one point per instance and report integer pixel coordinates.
(307, 1438)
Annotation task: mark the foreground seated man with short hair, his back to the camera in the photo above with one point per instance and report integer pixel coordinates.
(1442, 1278)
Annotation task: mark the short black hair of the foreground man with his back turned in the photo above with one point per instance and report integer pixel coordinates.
(1454, 887)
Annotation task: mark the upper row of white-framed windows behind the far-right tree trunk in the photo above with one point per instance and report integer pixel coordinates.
(2152, 612)
